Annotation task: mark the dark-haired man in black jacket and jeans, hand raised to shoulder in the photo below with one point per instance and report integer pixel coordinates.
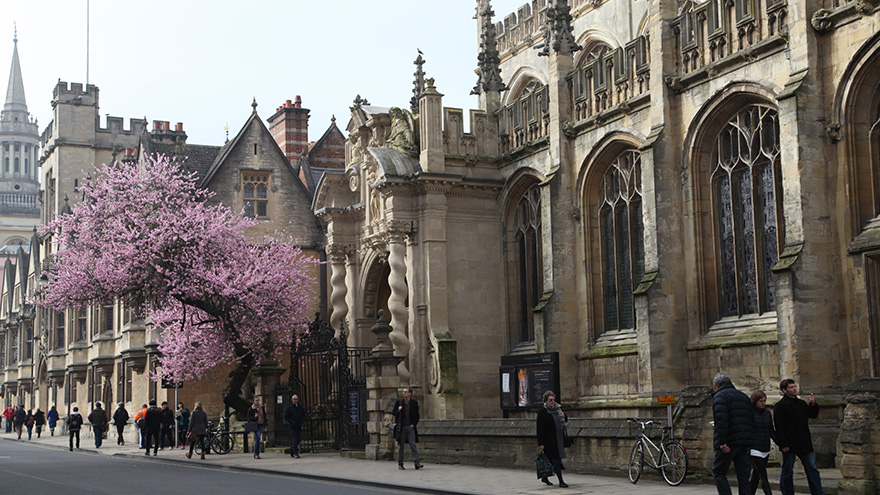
(791, 416)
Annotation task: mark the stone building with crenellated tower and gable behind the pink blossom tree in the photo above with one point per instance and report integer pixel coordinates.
(83, 355)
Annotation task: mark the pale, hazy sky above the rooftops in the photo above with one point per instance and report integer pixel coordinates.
(203, 62)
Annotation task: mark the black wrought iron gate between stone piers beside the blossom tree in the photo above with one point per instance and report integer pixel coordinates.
(330, 379)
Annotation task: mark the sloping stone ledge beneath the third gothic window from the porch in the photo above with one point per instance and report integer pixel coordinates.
(740, 331)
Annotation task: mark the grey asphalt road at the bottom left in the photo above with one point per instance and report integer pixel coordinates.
(34, 470)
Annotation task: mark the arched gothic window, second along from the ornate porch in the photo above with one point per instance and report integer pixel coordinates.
(622, 239)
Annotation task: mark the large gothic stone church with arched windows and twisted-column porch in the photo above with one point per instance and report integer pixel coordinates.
(655, 190)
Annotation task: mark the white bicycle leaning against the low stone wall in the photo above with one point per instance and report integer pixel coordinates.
(671, 454)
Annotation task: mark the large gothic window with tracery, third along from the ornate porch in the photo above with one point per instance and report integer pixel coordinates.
(746, 192)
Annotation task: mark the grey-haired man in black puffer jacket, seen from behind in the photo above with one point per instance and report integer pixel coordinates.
(733, 436)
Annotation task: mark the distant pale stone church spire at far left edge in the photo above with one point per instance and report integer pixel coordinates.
(19, 154)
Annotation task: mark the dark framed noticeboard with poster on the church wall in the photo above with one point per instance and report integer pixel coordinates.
(525, 377)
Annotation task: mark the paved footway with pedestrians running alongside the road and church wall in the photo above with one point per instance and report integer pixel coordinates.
(434, 478)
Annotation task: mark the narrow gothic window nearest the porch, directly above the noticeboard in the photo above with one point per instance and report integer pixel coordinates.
(527, 240)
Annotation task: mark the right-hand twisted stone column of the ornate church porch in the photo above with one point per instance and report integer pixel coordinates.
(397, 283)
